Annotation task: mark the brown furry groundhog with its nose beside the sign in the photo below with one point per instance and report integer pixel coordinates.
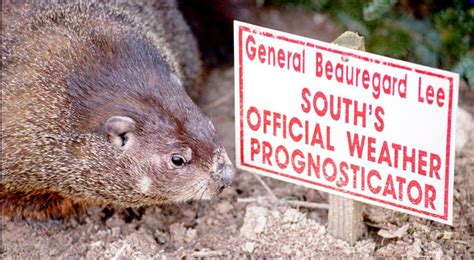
(95, 109)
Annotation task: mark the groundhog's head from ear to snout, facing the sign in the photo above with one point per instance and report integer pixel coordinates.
(169, 147)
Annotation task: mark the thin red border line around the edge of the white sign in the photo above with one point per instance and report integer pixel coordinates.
(243, 28)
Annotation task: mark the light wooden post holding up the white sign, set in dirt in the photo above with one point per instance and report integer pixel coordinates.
(345, 215)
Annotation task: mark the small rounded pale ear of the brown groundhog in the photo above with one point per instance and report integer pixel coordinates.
(120, 130)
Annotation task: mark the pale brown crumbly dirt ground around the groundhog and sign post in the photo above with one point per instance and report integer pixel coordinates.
(245, 220)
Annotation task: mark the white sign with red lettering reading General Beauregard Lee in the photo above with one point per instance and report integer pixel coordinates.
(351, 123)
